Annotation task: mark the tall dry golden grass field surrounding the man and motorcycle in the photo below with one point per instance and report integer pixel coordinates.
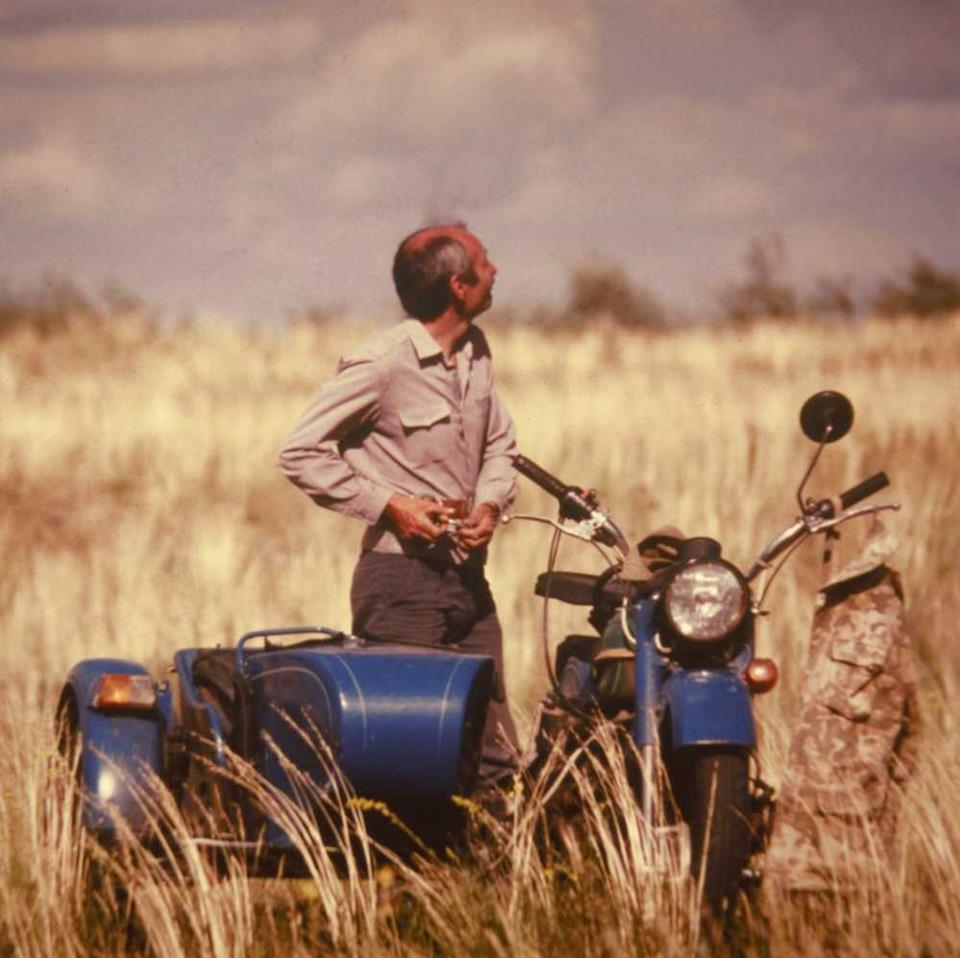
(141, 511)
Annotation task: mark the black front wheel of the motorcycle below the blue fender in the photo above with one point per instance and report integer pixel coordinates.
(711, 786)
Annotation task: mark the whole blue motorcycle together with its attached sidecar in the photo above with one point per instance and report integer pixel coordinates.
(309, 707)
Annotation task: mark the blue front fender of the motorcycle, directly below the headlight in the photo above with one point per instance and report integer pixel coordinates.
(709, 707)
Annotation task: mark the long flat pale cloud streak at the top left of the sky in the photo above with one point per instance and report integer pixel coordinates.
(160, 49)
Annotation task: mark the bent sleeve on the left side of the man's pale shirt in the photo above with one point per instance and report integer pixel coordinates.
(311, 458)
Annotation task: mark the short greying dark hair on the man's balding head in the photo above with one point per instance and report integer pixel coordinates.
(422, 273)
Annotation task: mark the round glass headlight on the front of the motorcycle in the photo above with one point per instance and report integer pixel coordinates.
(706, 601)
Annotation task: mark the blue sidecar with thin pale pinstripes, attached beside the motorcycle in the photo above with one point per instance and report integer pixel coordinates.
(401, 723)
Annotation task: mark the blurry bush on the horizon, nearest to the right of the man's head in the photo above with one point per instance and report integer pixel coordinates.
(603, 289)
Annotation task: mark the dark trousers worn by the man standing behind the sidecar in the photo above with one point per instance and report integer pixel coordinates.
(410, 599)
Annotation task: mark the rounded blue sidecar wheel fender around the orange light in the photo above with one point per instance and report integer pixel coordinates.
(118, 749)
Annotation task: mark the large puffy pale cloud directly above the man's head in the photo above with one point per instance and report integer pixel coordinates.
(419, 112)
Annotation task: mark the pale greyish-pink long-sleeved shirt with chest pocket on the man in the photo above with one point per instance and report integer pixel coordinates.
(398, 418)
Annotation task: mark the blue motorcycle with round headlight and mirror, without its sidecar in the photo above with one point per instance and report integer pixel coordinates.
(672, 662)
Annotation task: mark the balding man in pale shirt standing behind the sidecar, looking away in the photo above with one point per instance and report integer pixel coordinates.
(410, 437)
